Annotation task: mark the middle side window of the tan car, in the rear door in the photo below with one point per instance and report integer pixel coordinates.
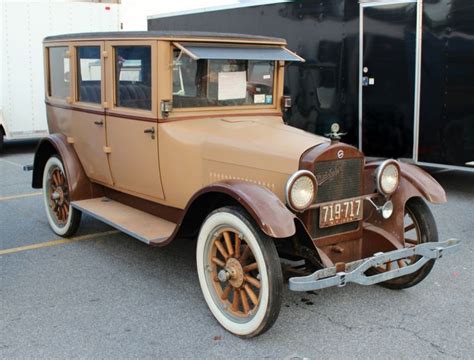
(89, 74)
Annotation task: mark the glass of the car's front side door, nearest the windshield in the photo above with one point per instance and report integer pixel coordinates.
(133, 77)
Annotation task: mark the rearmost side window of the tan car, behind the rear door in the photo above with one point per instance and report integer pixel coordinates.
(59, 72)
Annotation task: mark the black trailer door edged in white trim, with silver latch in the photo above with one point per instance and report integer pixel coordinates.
(389, 84)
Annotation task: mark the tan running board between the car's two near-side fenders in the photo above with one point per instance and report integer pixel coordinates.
(136, 223)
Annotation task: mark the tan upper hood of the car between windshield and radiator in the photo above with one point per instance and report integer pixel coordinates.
(260, 142)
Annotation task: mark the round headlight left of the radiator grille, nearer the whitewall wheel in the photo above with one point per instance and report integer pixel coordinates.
(301, 190)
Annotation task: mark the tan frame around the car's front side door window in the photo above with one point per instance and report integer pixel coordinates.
(111, 90)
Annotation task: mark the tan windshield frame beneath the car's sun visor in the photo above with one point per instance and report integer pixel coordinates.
(277, 74)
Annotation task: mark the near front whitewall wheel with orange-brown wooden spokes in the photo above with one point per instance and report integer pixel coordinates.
(239, 272)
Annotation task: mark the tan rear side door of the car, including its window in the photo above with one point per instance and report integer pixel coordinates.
(88, 126)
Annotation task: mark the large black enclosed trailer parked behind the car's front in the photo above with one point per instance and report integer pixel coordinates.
(398, 76)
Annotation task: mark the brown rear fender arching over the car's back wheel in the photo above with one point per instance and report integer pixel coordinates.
(80, 187)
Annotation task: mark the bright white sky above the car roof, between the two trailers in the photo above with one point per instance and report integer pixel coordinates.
(134, 12)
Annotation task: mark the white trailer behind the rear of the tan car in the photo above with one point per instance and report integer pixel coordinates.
(23, 26)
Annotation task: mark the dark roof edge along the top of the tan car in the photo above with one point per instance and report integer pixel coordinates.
(167, 35)
